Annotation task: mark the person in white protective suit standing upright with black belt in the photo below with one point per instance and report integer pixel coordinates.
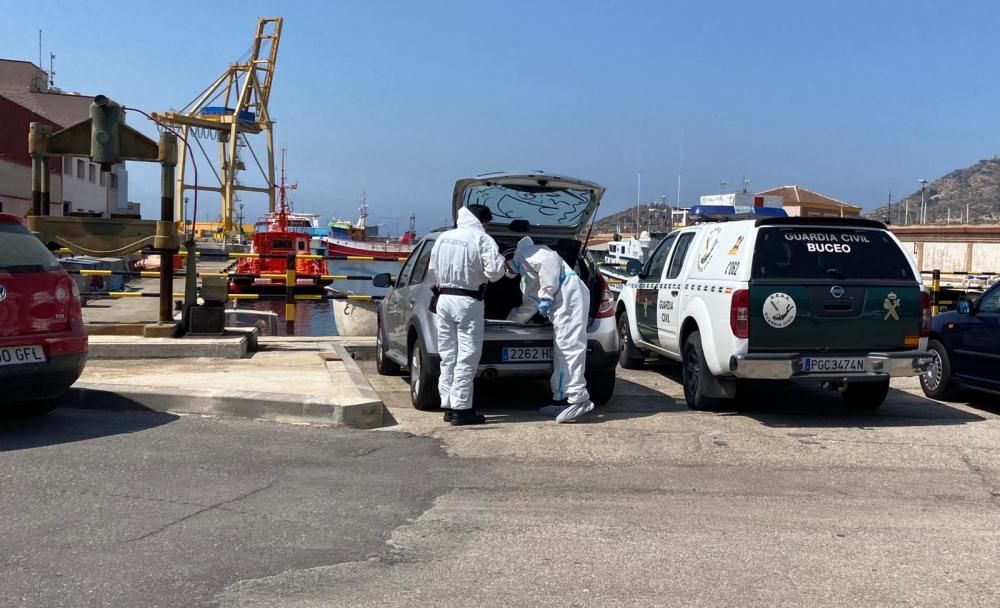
(463, 261)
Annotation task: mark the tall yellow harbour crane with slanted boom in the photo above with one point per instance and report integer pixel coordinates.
(233, 107)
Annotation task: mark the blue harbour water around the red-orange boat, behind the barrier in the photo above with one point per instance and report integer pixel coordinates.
(315, 317)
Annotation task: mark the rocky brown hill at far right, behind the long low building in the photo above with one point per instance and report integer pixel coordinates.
(974, 190)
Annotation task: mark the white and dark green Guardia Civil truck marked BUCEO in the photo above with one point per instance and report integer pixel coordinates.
(754, 295)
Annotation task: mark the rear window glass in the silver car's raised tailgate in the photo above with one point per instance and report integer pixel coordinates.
(539, 205)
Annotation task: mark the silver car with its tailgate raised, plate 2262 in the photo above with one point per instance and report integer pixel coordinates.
(552, 210)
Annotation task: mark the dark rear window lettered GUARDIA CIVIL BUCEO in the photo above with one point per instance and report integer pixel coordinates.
(826, 253)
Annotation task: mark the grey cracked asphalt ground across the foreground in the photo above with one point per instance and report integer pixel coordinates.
(789, 501)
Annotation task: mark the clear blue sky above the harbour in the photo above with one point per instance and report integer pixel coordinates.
(852, 99)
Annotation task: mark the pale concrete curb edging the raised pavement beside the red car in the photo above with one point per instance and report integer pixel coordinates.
(358, 414)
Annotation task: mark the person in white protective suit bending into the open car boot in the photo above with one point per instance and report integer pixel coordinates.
(553, 290)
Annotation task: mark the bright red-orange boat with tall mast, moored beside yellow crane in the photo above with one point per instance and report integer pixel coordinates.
(276, 235)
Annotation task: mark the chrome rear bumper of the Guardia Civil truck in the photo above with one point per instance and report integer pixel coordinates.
(783, 366)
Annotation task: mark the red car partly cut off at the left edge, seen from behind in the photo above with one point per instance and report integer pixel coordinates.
(43, 343)
